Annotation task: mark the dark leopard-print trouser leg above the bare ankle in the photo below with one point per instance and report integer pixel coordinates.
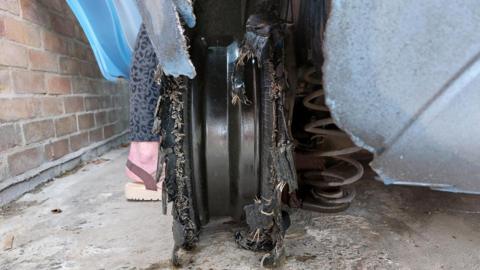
(144, 92)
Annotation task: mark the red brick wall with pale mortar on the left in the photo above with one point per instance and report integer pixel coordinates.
(53, 99)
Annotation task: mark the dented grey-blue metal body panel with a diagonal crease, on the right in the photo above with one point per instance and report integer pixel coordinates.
(402, 78)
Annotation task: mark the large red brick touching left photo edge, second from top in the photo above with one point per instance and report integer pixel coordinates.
(21, 32)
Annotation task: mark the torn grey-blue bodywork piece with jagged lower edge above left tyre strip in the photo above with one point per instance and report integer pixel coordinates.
(162, 22)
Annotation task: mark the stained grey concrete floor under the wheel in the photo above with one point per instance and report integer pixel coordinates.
(386, 228)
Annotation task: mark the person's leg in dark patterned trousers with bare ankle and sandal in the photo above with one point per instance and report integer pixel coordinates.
(144, 94)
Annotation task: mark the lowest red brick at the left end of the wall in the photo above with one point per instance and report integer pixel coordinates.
(25, 160)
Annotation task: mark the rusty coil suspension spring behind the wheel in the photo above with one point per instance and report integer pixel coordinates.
(330, 187)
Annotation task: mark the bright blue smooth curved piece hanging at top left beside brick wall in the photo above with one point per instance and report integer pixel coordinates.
(107, 32)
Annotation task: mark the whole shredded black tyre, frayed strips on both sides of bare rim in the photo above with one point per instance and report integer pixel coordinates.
(267, 216)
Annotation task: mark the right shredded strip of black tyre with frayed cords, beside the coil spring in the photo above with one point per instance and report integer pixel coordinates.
(266, 217)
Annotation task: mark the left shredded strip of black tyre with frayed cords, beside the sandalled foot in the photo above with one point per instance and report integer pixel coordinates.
(177, 187)
